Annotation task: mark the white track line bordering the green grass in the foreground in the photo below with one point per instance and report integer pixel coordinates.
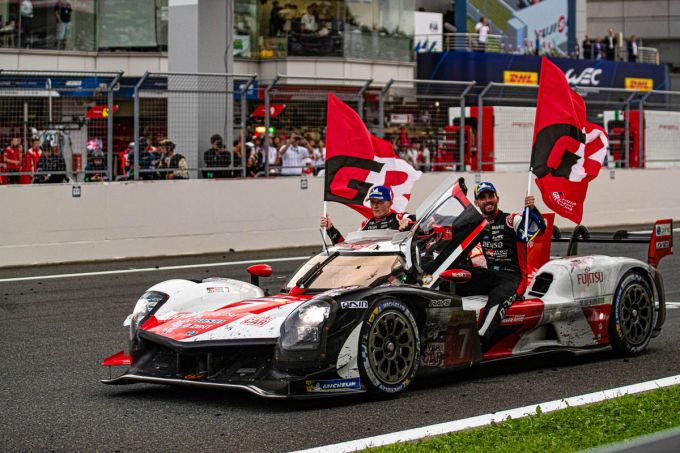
(483, 420)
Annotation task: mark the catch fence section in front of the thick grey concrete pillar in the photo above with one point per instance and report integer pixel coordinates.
(190, 125)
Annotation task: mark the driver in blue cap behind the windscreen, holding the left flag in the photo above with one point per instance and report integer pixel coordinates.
(383, 218)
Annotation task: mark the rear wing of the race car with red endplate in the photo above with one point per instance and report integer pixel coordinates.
(660, 239)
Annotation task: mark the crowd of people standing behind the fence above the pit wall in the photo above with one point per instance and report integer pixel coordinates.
(296, 154)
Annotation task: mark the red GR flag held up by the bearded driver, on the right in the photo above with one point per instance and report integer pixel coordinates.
(567, 151)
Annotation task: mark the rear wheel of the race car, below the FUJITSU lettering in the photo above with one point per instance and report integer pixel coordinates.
(632, 316)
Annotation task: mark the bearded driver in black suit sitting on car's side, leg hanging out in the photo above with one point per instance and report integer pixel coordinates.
(506, 257)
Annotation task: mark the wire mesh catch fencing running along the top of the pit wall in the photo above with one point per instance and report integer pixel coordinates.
(96, 126)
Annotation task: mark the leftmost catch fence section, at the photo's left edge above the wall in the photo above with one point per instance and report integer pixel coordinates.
(67, 115)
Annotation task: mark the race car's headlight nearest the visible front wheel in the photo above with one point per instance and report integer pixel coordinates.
(302, 329)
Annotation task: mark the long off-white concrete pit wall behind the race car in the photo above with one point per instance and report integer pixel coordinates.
(46, 224)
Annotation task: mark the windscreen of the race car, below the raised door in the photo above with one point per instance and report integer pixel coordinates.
(346, 270)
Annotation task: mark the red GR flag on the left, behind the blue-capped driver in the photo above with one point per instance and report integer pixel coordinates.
(356, 160)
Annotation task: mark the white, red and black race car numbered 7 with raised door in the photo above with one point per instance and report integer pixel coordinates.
(372, 313)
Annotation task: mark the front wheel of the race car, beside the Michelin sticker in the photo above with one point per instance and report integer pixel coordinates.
(389, 349)
